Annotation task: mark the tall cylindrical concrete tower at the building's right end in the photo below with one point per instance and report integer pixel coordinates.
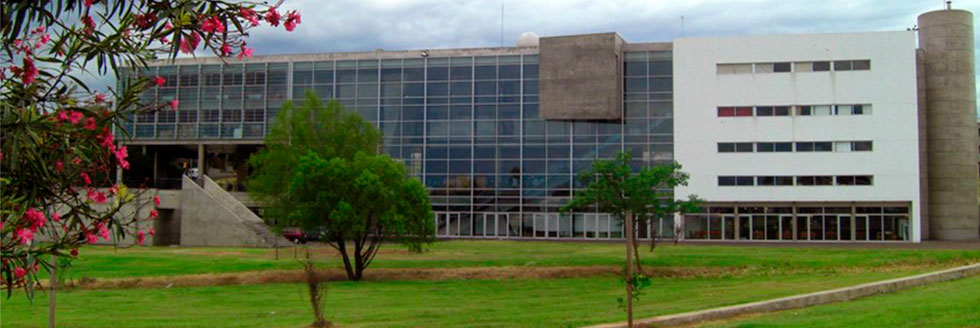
(946, 40)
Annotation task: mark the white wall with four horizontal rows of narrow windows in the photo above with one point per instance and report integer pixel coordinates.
(890, 86)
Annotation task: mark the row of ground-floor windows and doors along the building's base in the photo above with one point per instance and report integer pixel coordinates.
(857, 222)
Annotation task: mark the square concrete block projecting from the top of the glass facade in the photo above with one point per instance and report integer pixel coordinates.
(581, 77)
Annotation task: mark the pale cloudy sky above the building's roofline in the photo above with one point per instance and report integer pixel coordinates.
(367, 25)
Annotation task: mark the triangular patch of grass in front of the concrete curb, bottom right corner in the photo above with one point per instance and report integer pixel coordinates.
(948, 304)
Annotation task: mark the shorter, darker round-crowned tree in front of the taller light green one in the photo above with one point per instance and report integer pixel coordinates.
(359, 203)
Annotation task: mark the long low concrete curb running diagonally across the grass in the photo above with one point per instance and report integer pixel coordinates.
(805, 300)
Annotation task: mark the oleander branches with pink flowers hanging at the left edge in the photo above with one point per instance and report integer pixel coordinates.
(58, 149)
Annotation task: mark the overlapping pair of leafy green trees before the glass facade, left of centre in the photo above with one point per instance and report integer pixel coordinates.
(321, 171)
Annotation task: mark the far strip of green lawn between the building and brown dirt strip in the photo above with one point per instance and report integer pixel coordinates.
(107, 262)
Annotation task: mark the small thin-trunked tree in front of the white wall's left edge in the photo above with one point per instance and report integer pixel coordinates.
(615, 187)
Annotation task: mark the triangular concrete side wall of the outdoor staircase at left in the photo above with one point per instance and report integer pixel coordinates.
(205, 222)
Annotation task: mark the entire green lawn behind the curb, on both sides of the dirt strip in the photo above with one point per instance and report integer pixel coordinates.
(740, 274)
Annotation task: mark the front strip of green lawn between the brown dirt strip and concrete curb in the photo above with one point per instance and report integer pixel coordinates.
(467, 303)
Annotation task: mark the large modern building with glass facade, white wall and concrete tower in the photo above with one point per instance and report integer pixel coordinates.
(828, 137)
